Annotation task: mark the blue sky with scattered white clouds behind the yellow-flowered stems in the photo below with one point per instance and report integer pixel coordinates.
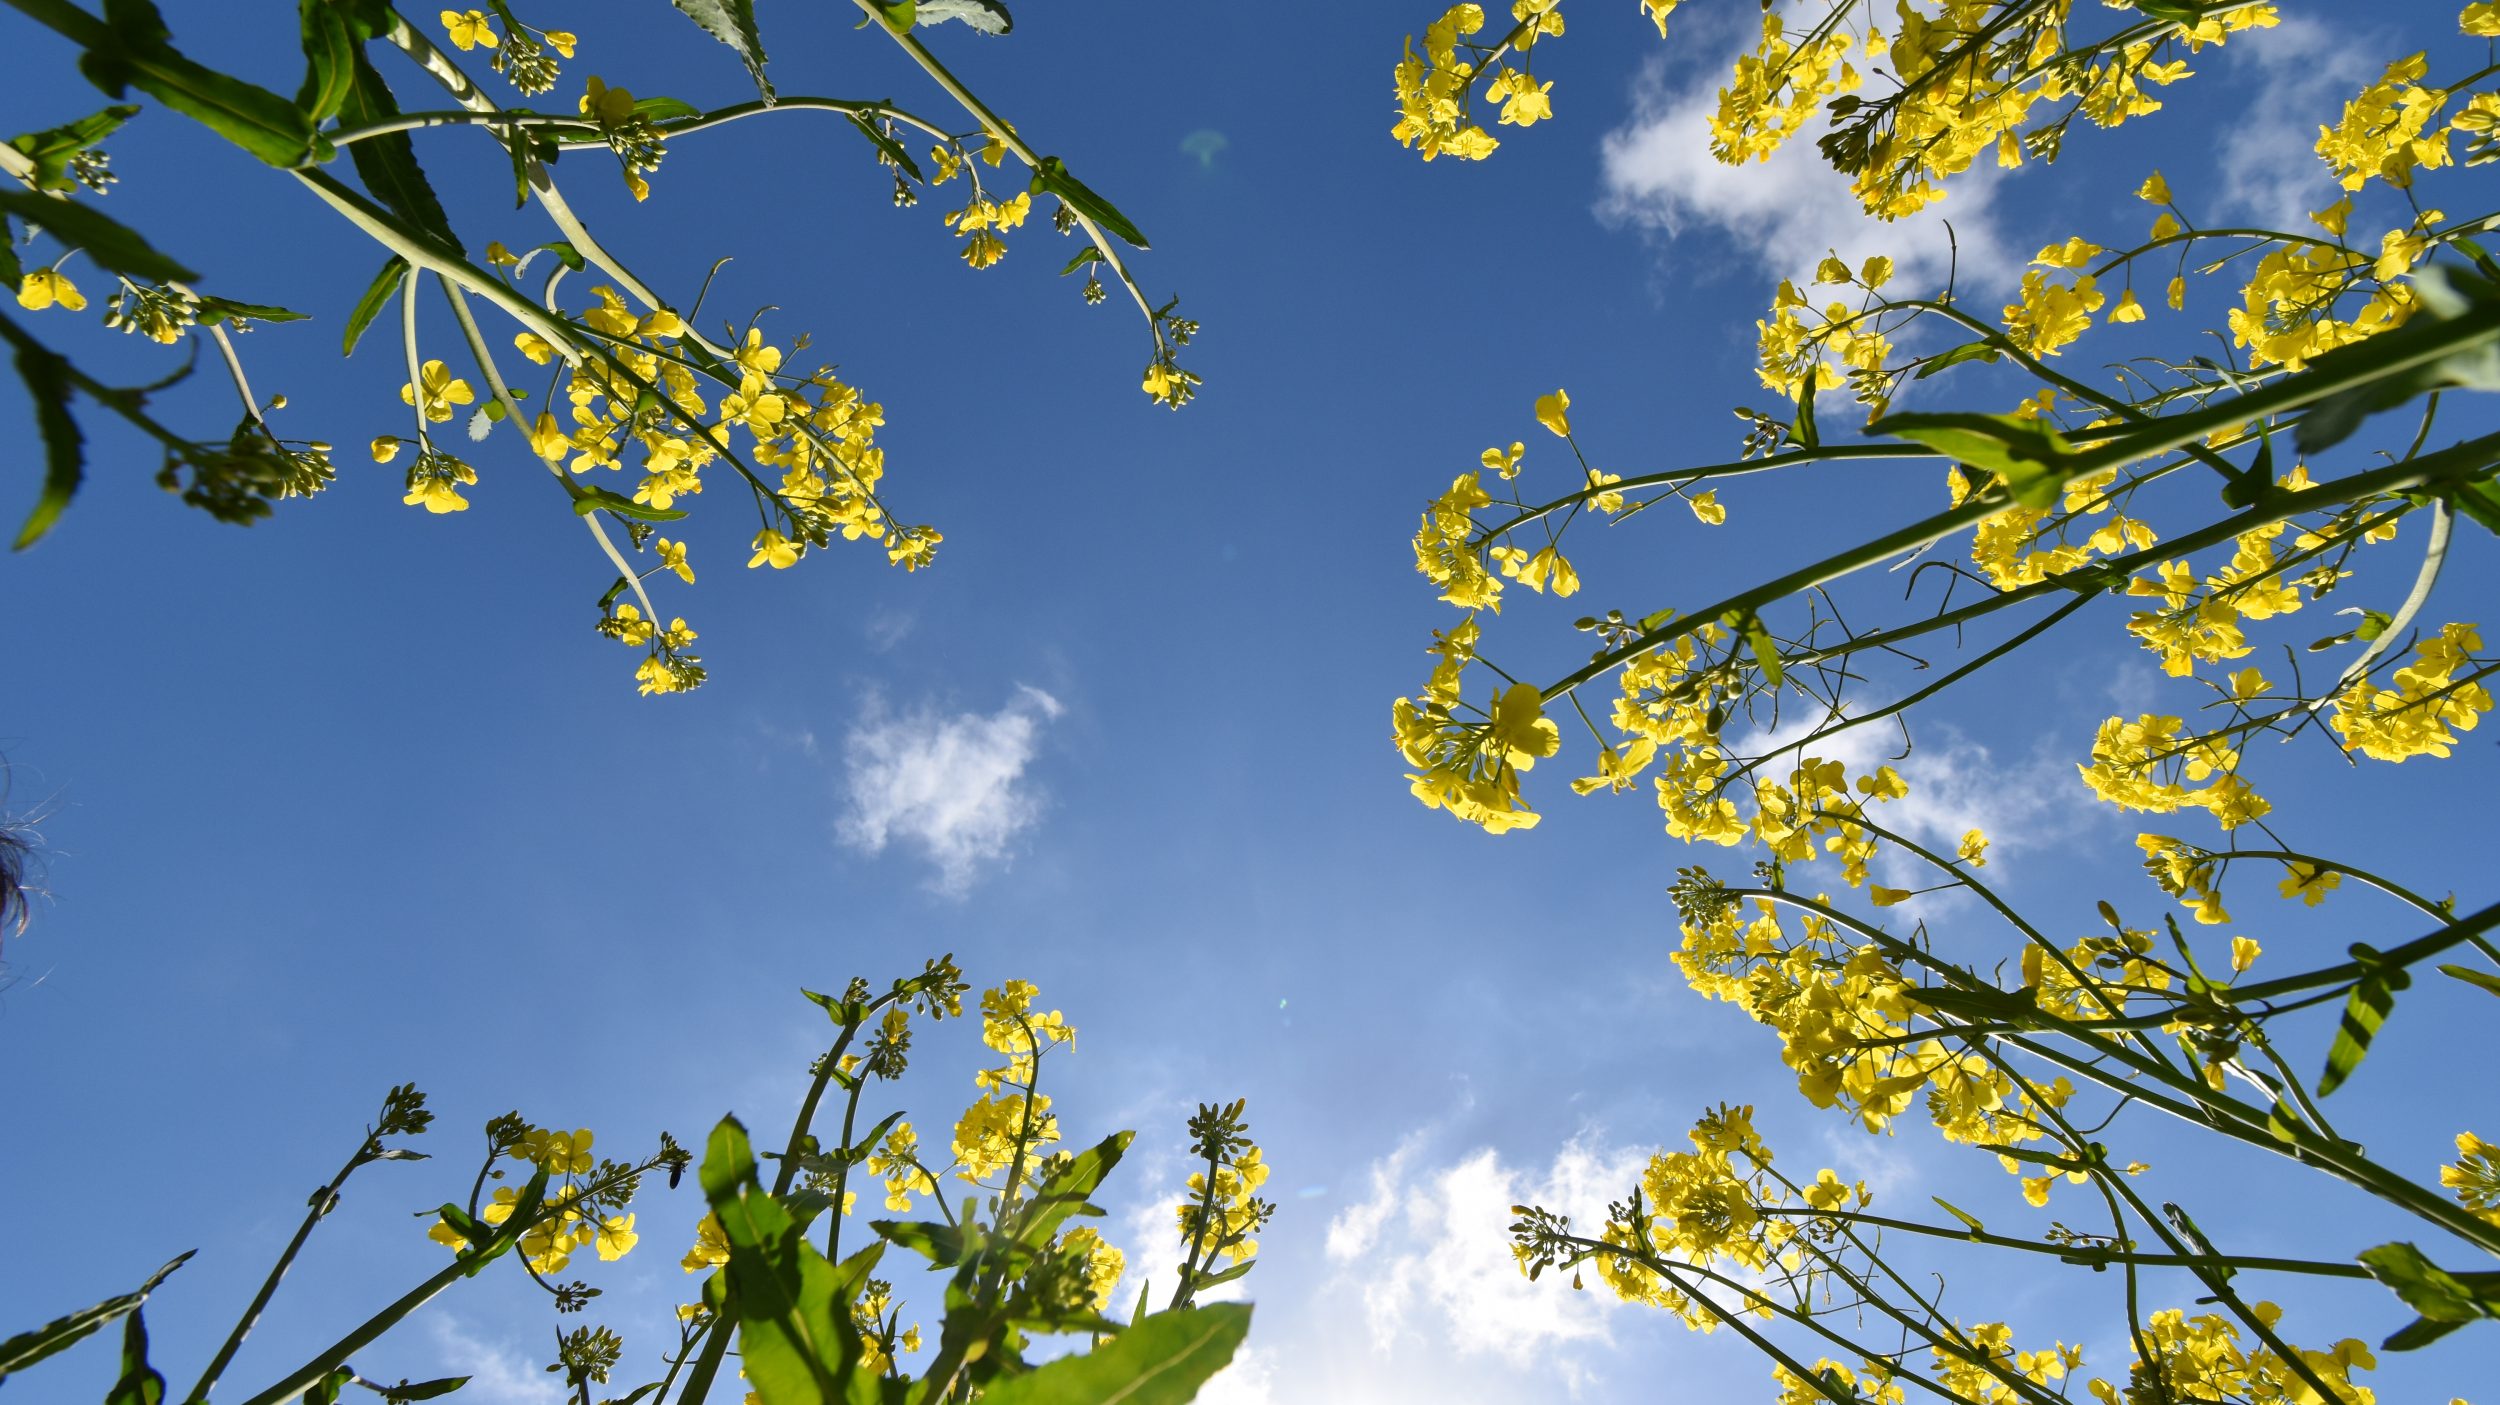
(354, 796)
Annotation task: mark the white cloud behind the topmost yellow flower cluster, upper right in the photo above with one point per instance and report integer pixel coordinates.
(1786, 211)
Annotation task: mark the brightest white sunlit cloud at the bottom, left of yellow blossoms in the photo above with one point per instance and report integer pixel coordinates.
(1429, 1256)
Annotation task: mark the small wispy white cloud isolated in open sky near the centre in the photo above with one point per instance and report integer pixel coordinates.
(951, 786)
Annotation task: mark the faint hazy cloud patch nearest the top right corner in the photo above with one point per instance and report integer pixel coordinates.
(2269, 154)
